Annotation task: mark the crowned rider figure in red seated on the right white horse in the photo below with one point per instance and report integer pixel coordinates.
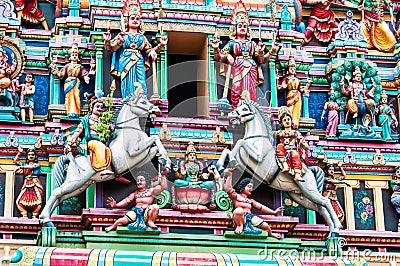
(290, 151)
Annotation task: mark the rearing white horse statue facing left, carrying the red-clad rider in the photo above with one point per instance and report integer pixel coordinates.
(255, 154)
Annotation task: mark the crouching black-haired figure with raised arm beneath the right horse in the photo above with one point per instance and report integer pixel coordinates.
(246, 221)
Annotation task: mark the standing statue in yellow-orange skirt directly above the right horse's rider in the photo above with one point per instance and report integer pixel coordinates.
(292, 84)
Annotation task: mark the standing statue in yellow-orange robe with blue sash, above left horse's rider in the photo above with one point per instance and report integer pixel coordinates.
(72, 71)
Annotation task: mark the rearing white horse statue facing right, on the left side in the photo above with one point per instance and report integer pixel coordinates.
(131, 149)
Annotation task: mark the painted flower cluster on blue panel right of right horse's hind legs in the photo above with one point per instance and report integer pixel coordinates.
(364, 208)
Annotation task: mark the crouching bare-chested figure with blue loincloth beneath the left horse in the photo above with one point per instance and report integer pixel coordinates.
(145, 213)
